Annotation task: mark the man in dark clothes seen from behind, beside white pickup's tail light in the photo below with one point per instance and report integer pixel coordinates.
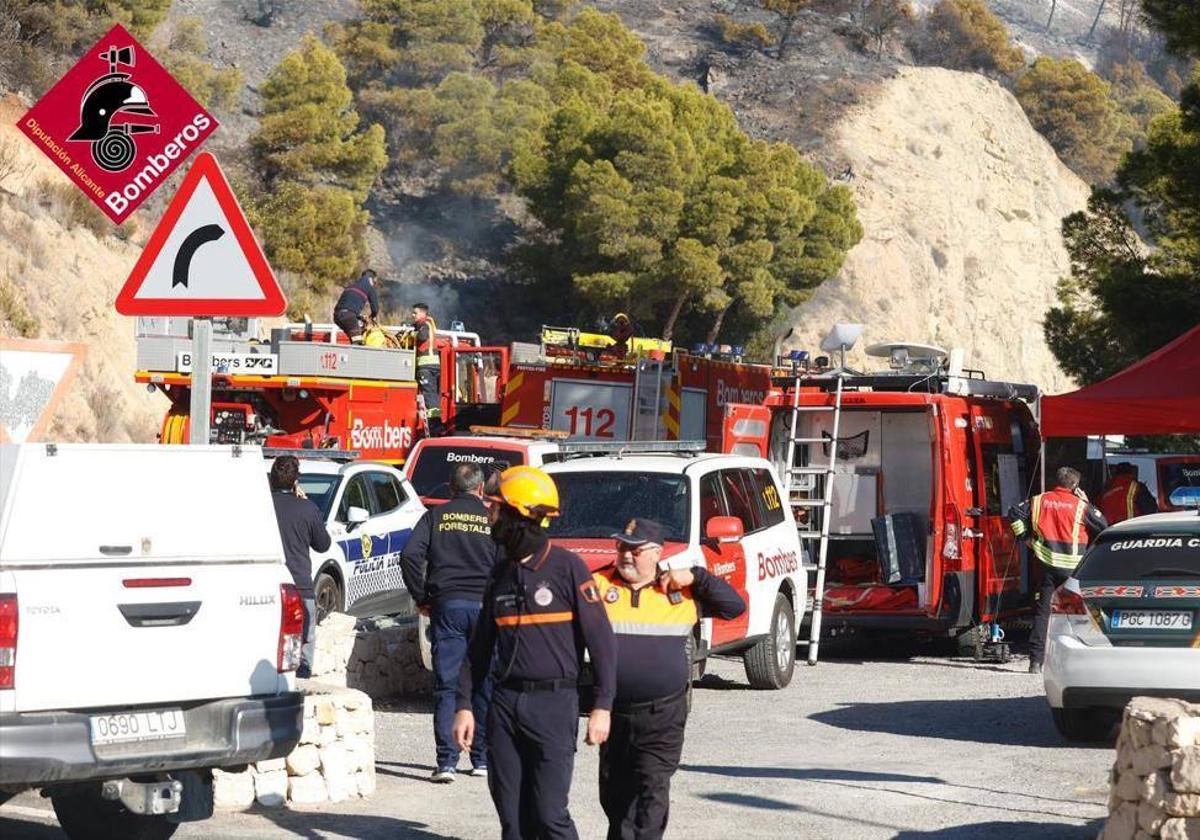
(302, 527)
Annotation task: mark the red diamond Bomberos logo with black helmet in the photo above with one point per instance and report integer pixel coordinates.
(118, 124)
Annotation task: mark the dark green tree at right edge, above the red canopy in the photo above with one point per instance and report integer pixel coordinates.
(1124, 301)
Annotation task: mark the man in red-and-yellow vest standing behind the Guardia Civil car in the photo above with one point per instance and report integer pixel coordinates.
(1059, 524)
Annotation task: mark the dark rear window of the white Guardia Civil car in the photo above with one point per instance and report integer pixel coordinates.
(1133, 556)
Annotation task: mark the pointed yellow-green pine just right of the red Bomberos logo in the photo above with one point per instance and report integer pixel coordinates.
(310, 130)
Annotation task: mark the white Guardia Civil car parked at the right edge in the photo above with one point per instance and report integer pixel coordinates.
(1126, 623)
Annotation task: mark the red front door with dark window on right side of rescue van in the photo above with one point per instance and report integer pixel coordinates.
(999, 453)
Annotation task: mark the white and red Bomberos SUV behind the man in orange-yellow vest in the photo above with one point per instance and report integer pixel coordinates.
(725, 513)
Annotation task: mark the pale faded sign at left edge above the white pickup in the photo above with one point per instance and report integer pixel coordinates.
(34, 377)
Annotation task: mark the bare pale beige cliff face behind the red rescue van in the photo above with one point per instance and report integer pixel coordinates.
(962, 205)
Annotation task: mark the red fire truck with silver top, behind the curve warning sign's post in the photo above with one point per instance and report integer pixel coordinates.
(308, 387)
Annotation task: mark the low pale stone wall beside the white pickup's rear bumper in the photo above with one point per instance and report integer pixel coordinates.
(334, 761)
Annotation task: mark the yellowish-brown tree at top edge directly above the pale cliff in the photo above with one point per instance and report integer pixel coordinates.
(967, 35)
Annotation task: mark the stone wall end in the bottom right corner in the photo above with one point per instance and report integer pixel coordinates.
(1156, 779)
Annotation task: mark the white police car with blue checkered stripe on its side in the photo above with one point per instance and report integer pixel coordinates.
(370, 511)
